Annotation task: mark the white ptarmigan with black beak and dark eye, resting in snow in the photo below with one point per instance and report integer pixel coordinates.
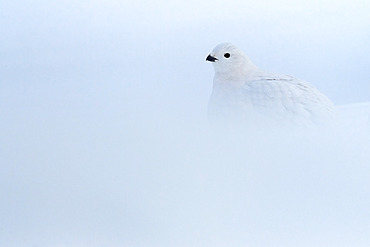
(241, 91)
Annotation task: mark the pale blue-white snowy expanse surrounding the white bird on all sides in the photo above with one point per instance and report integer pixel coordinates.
(104, 139)
